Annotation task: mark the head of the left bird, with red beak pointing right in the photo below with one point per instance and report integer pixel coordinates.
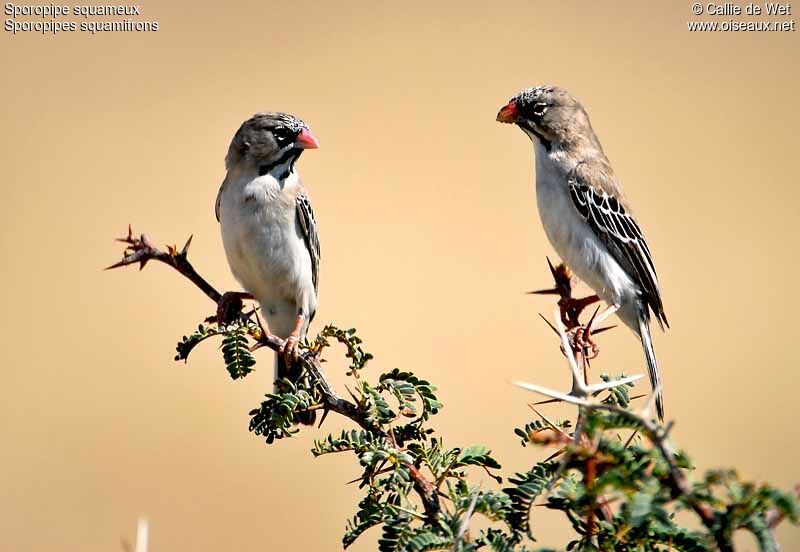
(269, 143)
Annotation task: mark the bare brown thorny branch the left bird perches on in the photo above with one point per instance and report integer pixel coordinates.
(141, 250)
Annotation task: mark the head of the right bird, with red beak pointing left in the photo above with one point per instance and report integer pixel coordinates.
(548, 113)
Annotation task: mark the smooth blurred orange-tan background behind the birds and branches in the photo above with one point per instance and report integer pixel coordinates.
(429, 236)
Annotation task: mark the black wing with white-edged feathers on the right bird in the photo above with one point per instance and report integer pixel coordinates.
(607, 215)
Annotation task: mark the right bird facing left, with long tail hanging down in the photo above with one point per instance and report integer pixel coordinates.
(586, 216)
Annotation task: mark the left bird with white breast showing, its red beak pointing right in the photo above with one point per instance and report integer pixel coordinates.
(268, 228)
